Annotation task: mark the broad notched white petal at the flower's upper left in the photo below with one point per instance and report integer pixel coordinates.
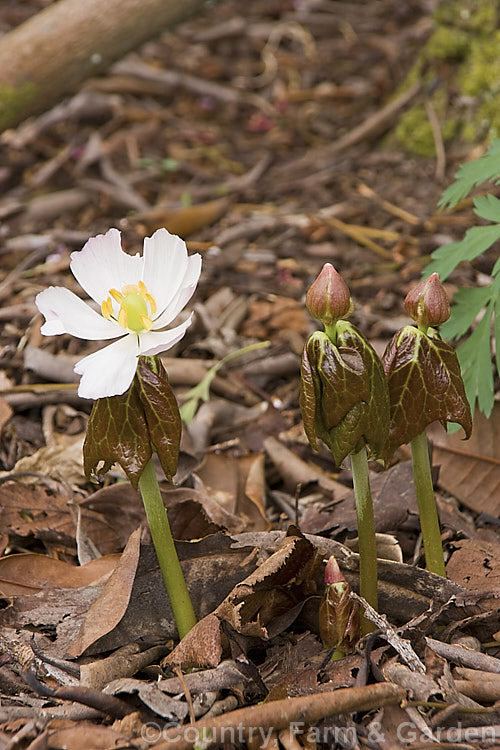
(102, 265)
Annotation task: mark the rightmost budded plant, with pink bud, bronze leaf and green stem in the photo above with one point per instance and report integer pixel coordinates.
(425, 385)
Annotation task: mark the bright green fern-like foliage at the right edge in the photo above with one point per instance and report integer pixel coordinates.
(481, 303)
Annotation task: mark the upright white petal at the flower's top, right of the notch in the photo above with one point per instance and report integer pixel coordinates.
(165, 263)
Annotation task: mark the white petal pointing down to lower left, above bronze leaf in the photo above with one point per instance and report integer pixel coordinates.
(110, 371)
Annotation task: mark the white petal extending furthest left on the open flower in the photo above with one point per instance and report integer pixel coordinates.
(66, 313)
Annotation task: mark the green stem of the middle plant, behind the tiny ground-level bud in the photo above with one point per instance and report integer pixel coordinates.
(366, 533)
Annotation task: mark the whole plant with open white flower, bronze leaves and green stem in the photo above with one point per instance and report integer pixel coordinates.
(135, 410)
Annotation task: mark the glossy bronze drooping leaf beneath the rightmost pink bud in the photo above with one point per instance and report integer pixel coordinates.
(425, 385)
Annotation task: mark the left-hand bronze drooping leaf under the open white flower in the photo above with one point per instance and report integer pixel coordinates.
(117, 432)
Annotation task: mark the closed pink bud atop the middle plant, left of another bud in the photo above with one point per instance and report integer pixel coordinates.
(328, 298)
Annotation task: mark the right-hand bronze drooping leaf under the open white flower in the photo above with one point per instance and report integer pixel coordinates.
(161, 412)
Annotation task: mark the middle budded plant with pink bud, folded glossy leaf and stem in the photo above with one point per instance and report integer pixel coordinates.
(344, 402)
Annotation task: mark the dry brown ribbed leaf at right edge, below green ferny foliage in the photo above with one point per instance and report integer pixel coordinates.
(470, 470)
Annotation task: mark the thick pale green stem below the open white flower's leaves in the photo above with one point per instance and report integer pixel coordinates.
(166, 553)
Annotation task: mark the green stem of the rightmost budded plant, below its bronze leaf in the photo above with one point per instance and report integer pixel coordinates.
(429, 521)
